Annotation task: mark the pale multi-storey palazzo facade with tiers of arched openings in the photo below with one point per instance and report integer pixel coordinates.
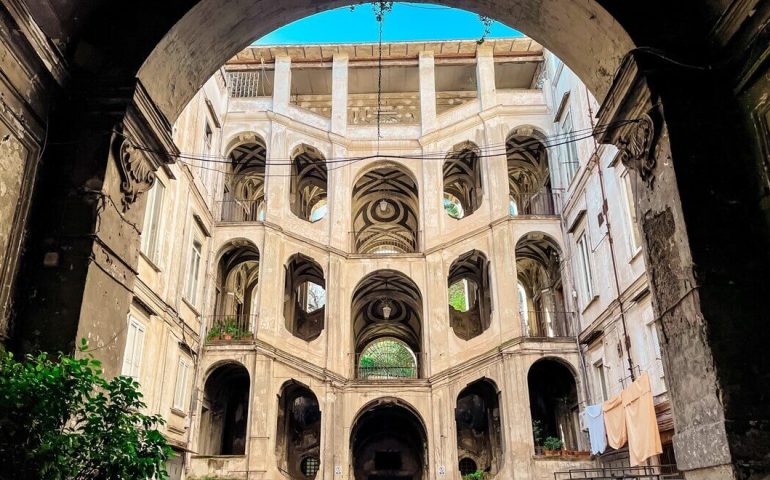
(324, 295)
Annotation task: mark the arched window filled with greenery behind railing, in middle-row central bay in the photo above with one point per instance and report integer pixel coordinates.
(387, 358)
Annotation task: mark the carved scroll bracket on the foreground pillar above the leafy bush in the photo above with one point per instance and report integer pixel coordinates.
(137, 174)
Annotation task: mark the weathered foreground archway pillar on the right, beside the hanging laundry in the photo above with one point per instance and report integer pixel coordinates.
(709, 289)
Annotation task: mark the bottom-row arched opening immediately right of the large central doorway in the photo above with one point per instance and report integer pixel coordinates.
(479, 428)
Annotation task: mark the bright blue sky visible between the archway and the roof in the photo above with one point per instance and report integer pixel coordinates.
(406, 22)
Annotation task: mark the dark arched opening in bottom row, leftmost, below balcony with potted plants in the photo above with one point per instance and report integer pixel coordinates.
(224, 411)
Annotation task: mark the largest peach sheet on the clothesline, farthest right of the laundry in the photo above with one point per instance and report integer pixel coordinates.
(641, 422)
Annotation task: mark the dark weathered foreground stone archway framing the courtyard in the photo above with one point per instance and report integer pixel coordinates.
(698, 272)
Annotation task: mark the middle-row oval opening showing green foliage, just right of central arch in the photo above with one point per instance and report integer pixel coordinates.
(470, 304)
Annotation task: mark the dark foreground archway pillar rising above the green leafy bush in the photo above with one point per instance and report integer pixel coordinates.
(82, 252)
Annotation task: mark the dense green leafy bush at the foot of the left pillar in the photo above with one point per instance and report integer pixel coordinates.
(60, 419)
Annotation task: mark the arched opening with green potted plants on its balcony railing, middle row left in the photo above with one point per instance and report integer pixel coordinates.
(235, 295)
